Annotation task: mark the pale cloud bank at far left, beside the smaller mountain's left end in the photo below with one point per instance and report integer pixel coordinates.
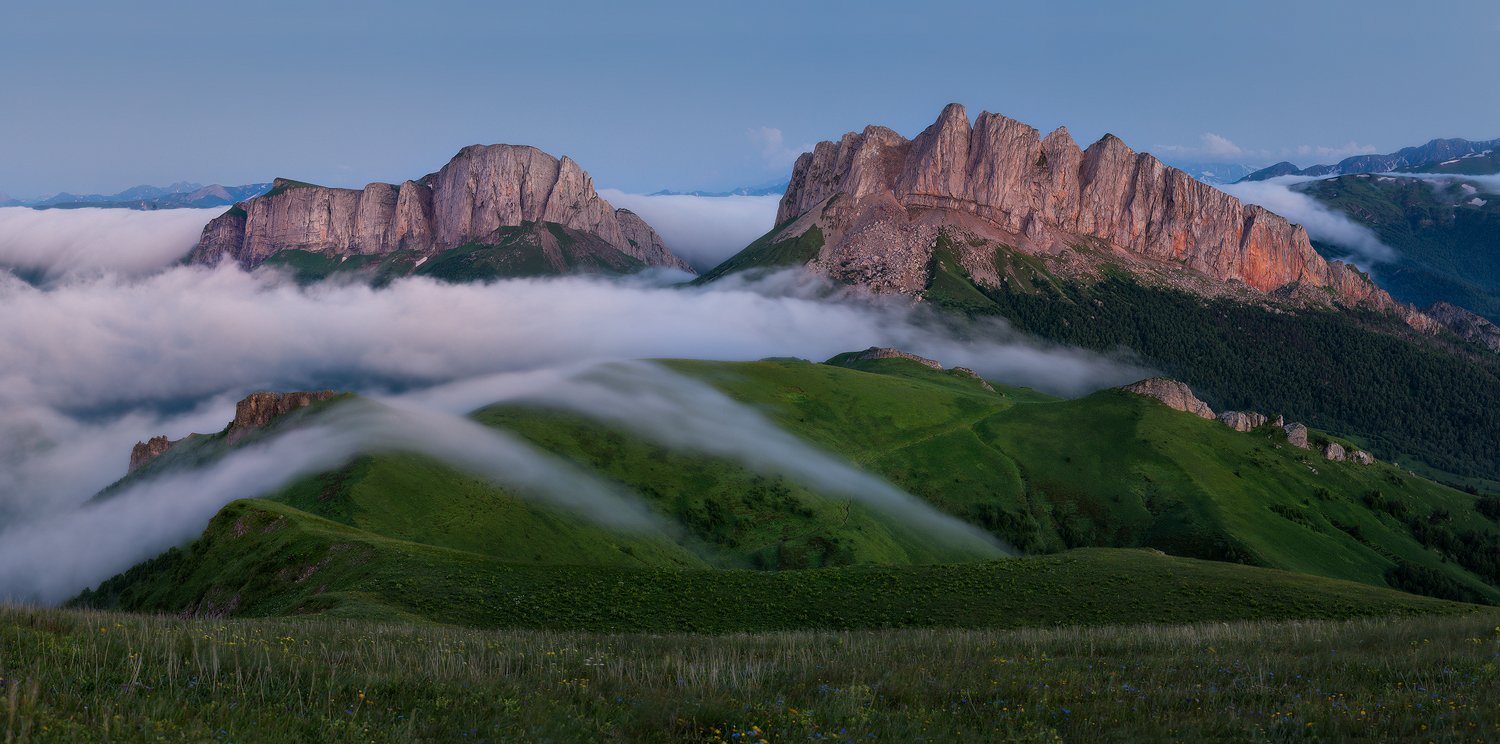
(58, 244)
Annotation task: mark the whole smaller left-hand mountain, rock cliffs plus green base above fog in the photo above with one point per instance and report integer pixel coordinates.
(493, 211)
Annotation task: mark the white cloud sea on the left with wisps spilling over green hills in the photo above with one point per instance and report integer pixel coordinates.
(110, 341)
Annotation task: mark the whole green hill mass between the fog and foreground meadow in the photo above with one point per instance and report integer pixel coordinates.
(404, 536)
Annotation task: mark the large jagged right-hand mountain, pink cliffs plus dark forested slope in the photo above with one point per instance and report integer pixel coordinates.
(1109, 250)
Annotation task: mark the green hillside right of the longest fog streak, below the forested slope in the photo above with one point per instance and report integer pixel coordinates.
(1112, 469)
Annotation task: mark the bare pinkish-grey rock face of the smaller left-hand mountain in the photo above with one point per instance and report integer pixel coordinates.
(482, 190)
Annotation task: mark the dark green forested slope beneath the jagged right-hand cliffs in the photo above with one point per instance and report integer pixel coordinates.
(1432, 404)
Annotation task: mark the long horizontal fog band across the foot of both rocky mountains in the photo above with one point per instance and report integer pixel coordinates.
(194, 332)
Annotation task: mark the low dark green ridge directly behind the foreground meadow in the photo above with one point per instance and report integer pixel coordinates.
(266, 559)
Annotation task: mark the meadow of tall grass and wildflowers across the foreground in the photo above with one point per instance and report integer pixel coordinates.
(68, 676)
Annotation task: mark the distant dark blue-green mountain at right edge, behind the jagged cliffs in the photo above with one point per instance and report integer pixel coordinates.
(1442, 230)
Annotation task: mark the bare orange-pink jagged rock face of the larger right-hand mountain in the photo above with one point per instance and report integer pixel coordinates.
(881, 199)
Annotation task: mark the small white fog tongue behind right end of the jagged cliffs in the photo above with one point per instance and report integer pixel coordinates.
(1322, 224)
